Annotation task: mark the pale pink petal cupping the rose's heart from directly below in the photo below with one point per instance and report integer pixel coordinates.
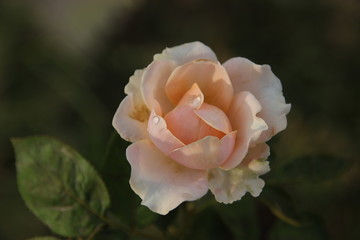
(207, 153)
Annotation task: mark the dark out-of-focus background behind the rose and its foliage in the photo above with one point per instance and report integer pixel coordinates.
(64, 64)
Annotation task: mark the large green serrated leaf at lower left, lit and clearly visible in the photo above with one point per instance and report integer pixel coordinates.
(59, 186)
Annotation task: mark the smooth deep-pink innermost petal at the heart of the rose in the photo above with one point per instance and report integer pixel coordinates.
(187, 126)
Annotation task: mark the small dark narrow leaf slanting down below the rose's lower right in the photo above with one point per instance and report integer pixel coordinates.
(281, 205)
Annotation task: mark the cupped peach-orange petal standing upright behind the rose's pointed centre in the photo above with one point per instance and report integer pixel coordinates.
(211, 77)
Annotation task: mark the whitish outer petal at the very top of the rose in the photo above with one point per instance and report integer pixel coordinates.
(187, 52)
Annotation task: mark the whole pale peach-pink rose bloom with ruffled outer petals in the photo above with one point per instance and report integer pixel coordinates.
(197, 124)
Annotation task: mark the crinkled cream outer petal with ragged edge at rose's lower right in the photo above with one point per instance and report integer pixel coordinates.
(230, 186)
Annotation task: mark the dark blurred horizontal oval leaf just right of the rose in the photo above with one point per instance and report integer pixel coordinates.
(312, 168)
